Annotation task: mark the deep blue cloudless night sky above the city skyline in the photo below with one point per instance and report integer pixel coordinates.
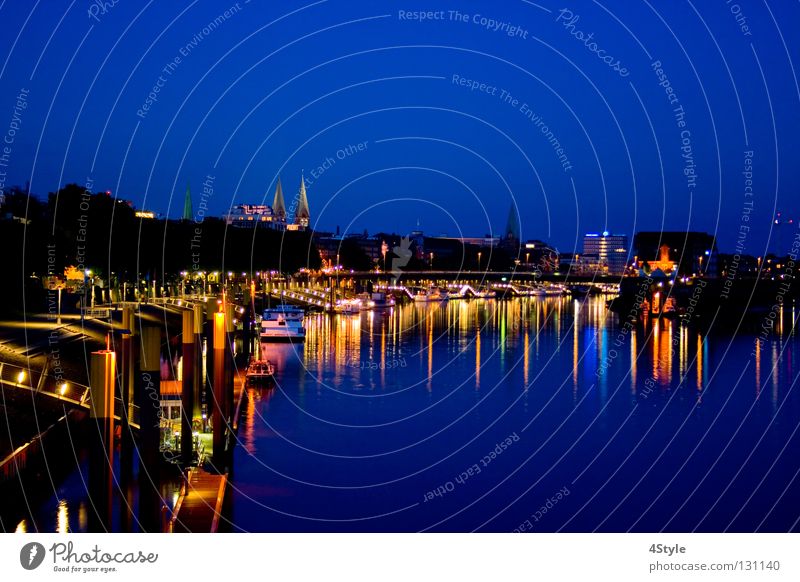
(277, 88)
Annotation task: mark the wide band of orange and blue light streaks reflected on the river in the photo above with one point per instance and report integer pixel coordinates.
(347, 344)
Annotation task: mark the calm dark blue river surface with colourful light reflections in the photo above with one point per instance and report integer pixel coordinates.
(531, 413)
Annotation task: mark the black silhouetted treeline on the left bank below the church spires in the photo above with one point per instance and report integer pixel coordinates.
(98, 232)
